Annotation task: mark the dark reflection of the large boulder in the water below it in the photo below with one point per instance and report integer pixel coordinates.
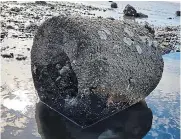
(131, 123)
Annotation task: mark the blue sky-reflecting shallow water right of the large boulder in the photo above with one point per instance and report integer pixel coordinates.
(165, 101)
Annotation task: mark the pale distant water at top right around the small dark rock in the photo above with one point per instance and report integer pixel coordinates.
(157, 11)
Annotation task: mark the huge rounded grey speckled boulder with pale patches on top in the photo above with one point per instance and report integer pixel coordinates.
(90, 68)
